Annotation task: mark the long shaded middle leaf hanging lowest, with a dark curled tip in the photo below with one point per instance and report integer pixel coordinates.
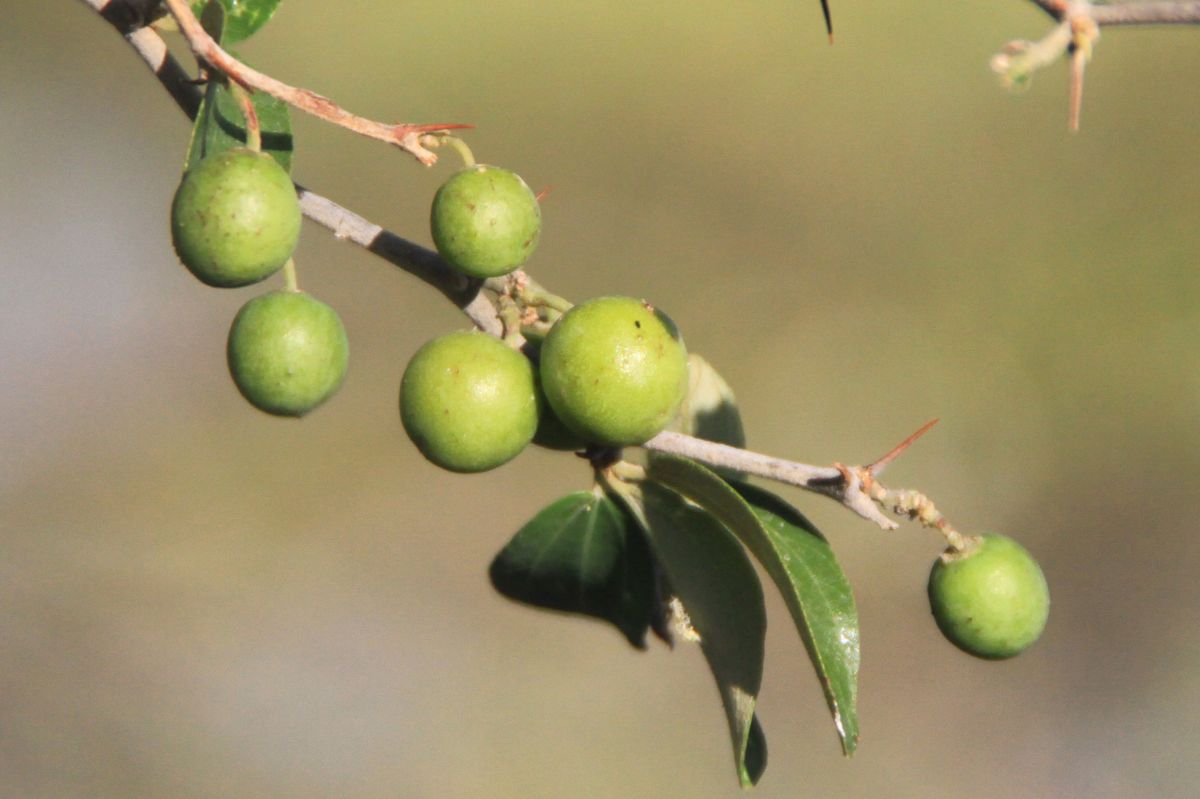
(718, 588)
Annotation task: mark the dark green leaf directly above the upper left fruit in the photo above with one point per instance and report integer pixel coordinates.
(221, 127)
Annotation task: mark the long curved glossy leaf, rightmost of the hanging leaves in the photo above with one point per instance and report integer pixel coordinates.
(802, 566)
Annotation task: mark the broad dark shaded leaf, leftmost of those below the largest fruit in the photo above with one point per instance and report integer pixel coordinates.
(581, 555)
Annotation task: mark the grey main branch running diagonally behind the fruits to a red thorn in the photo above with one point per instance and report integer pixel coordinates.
(856, 488)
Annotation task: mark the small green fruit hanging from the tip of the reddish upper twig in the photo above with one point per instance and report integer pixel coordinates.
(485, 221)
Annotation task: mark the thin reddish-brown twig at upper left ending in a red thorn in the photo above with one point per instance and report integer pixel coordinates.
(405, 136)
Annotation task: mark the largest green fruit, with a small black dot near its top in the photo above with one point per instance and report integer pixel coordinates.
(615, 371)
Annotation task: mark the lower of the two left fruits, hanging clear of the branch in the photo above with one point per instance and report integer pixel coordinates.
(287, 353)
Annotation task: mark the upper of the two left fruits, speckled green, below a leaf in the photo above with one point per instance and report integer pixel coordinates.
(236, 219)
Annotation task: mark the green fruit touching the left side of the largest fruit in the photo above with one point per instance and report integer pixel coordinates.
(470, 402)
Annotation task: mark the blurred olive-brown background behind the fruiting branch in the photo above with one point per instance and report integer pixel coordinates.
(200, 600)
